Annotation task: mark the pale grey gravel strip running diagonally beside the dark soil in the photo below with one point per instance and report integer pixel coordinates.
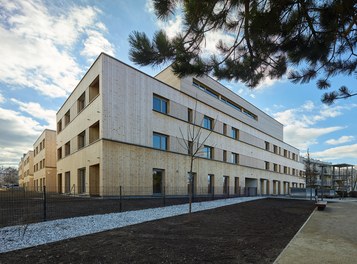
(24, 236)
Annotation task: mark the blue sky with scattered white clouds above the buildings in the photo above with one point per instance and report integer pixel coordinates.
(47, 46)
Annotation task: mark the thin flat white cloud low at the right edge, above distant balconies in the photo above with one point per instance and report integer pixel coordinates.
(341, 152)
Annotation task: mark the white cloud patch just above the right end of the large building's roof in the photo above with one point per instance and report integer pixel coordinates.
(300, 124)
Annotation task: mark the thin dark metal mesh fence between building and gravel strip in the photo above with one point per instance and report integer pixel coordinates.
(19, 206)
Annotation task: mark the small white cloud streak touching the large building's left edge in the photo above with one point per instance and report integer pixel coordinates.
(38, 112)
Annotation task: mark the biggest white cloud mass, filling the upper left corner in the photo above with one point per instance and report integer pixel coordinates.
(36, 47)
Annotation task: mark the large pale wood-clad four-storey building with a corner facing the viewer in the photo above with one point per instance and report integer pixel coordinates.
(123, 128)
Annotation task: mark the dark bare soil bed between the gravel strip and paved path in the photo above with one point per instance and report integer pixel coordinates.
(251, 232)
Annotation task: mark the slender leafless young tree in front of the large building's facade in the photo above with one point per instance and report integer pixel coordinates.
(194, 142)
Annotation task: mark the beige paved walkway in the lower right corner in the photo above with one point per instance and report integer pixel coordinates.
(328, 236)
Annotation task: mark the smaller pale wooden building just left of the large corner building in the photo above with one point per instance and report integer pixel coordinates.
(45, 161)
